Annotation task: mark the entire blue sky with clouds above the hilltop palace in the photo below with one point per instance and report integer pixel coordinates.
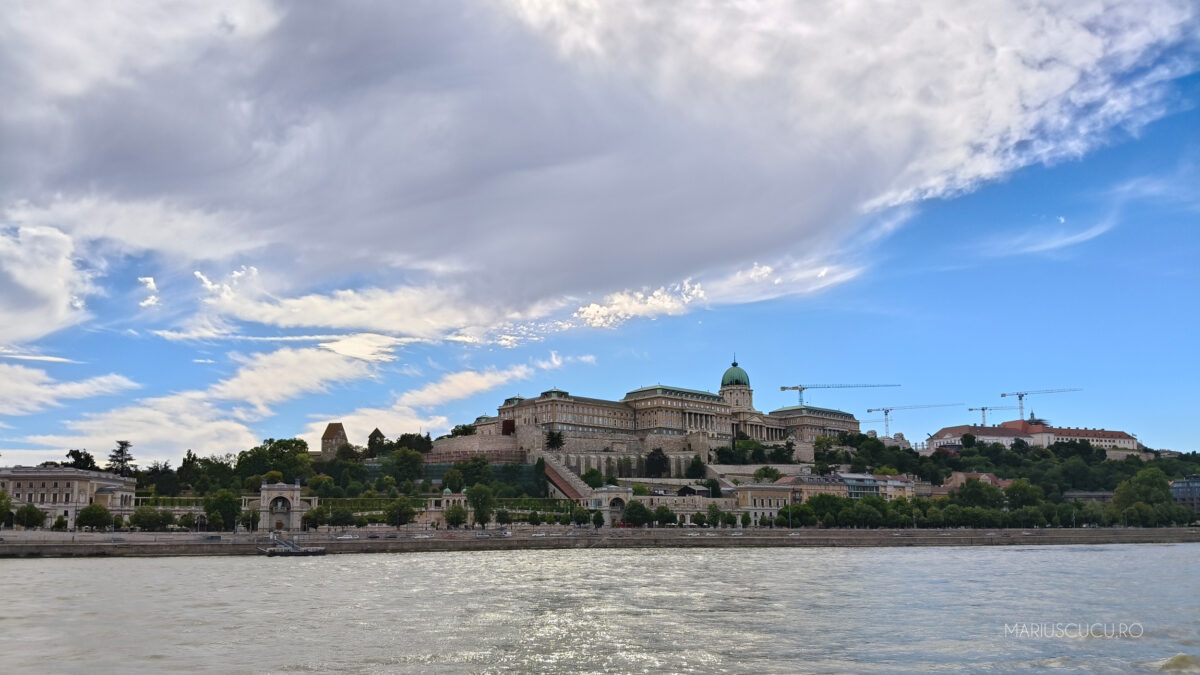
(223, 223)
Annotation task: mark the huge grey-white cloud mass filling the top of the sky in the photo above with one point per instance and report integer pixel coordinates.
(554, 152)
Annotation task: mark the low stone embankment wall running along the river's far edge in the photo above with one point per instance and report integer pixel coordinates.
(45, 545)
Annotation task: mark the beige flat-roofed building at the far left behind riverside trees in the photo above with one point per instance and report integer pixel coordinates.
(62, 491)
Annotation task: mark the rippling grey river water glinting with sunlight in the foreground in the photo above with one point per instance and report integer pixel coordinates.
(1100, 608)
